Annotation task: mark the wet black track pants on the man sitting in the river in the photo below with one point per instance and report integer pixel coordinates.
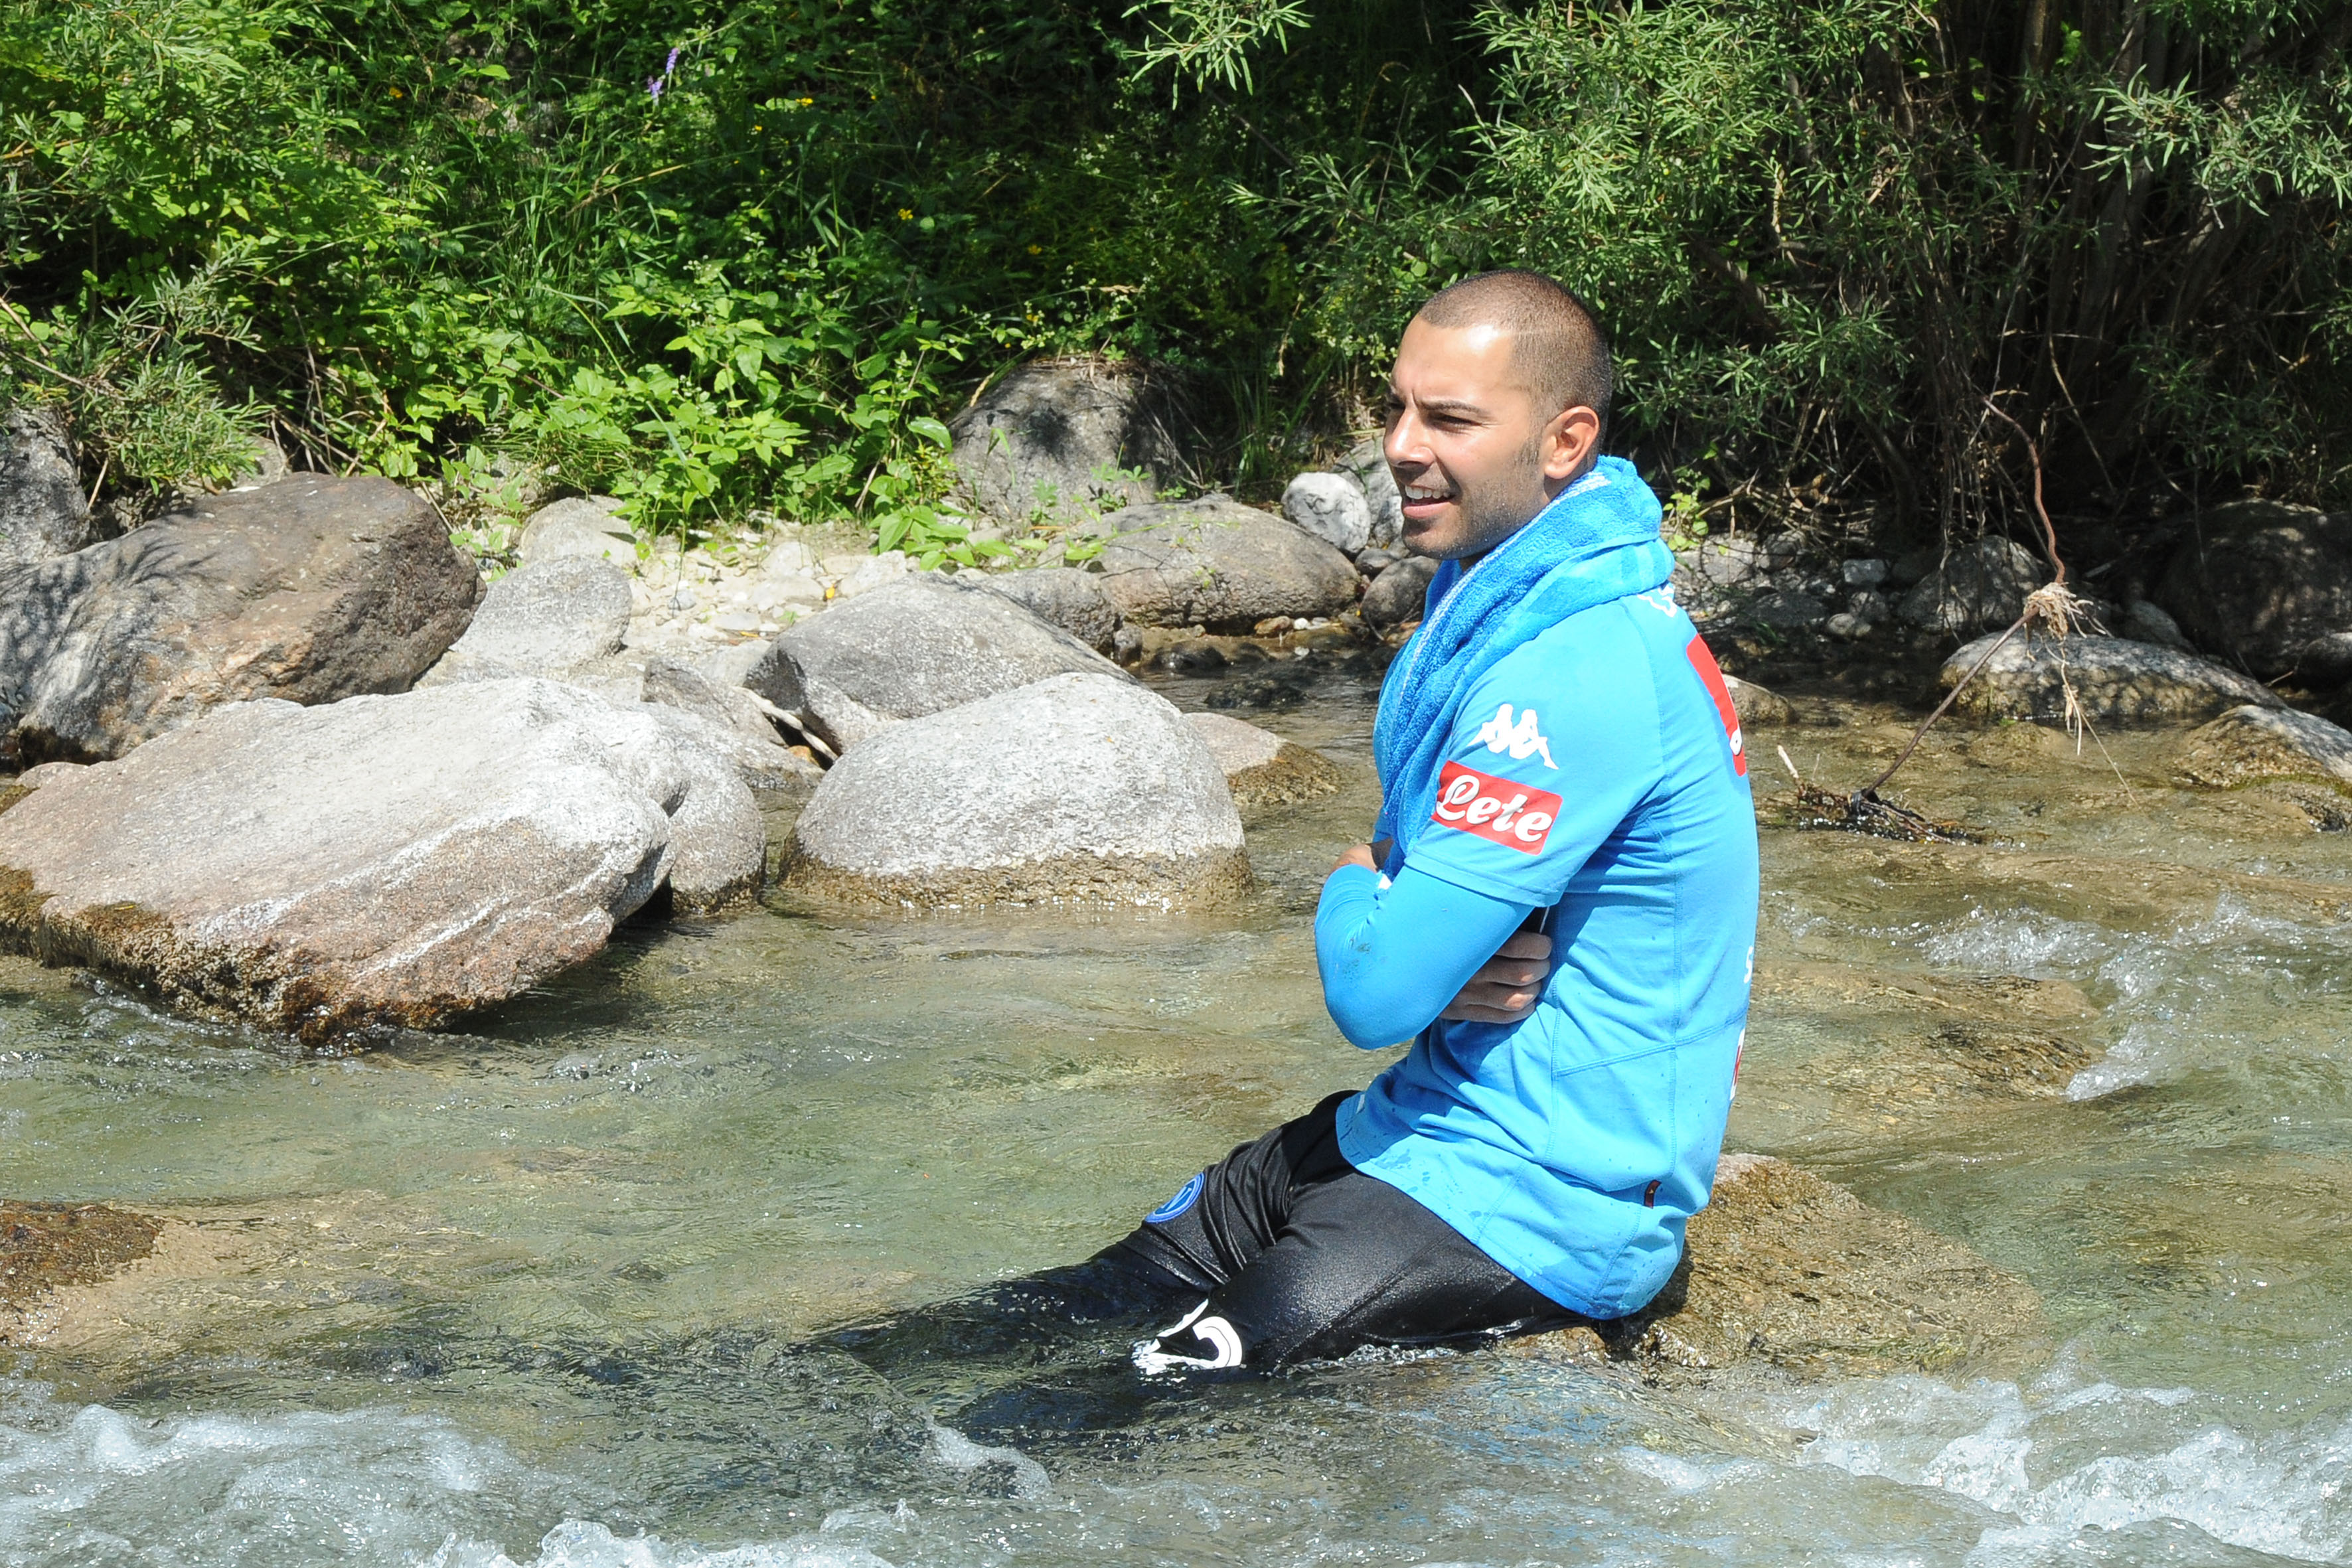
(1307, 1257)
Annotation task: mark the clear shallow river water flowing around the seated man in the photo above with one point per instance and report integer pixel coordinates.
(566, 1289)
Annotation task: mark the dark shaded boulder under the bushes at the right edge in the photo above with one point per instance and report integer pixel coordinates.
(2261, 579)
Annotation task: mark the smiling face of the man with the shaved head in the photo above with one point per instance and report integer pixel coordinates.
(1474, 455)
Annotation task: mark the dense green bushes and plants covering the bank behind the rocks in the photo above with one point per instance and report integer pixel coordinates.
(726, 257)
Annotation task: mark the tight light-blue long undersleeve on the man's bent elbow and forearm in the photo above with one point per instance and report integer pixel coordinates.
(1396, 953)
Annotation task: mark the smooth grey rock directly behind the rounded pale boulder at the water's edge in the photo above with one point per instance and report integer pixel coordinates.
(907, 650)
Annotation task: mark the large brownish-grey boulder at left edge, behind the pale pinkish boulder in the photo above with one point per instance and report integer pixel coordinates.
(309, 591)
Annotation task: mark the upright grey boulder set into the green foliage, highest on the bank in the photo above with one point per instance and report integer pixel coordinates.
(1064, 438)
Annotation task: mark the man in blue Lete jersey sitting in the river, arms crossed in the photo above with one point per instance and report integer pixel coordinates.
(1558, 909)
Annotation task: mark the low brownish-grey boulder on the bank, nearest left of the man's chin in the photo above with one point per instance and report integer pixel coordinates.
(1222, 565)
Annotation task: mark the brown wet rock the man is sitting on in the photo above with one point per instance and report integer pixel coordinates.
(1798, 1273)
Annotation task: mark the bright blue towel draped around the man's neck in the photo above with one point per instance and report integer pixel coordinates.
(1593, 544)
